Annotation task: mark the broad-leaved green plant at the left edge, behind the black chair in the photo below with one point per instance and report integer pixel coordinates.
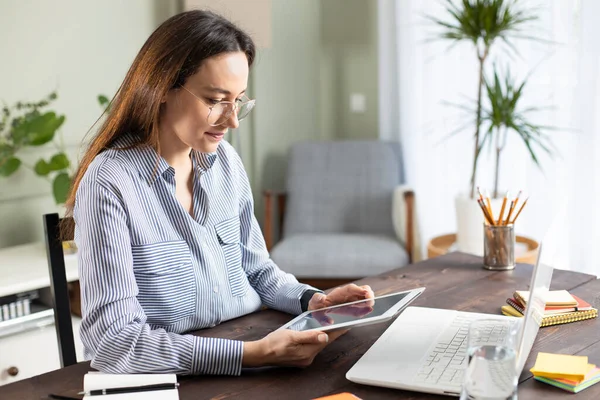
(30, 125)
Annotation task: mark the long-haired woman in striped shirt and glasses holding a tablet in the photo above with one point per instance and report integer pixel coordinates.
(164, 222)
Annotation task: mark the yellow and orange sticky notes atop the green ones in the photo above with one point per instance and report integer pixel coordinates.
(561, 366)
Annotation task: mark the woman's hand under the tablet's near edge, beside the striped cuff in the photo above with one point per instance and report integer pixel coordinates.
(286, 347)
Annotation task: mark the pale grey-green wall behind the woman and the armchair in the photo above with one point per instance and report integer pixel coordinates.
(83, 49)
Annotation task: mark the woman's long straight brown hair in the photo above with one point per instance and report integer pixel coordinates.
(173, 53)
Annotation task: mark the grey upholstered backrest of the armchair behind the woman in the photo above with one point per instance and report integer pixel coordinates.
(341, 187)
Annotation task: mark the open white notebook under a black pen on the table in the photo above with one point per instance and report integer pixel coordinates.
(98, 380)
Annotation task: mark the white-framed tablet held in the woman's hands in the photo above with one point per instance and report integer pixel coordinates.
(356, 313)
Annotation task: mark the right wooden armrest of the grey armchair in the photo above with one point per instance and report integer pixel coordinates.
(405, 222)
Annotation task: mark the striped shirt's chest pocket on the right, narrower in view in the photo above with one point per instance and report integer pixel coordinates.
(228, 233)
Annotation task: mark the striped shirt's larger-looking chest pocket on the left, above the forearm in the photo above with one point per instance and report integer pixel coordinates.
(165, 277)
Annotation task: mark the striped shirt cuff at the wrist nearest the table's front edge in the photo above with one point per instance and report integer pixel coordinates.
(214, 356)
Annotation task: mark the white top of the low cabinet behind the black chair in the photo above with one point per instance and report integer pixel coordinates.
(25, 267)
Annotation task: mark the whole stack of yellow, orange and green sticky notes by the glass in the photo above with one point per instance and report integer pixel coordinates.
(571, 373)
